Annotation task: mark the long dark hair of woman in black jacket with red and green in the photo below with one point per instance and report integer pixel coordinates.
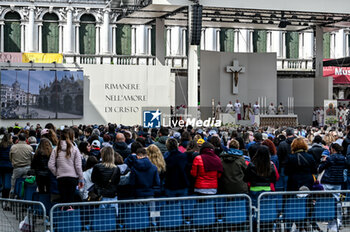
(262, 161)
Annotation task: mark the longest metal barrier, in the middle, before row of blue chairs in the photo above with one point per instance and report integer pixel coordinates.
(214, 213)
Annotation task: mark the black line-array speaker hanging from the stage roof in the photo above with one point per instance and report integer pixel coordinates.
(196, 24)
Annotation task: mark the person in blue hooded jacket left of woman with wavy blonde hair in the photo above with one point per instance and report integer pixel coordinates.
(144, 175)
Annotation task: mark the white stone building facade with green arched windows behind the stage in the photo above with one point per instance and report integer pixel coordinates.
(85, 29)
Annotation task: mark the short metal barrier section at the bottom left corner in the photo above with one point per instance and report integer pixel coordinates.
(18, 214)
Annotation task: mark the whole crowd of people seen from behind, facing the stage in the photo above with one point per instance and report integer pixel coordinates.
(83, 163)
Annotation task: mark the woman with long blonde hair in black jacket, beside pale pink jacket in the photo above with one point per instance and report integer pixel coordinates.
(106, 175)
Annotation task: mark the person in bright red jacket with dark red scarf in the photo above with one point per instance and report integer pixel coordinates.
(206, 169)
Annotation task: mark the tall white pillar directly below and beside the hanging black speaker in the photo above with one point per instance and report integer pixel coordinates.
(192, 72)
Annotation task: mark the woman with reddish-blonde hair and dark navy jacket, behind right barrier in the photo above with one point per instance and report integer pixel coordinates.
(300, 166)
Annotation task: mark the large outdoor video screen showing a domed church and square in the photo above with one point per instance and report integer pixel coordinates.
(32, 94)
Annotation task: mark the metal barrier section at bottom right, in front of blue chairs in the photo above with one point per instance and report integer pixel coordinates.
(304, 210)
